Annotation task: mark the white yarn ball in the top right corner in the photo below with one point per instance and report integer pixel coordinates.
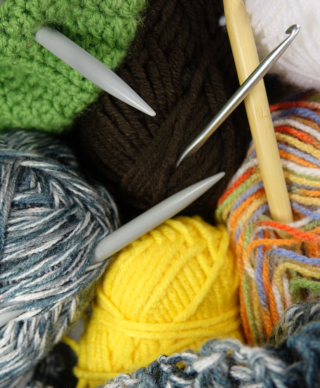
(300, 64)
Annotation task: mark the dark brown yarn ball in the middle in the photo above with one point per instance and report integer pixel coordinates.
(181, 64)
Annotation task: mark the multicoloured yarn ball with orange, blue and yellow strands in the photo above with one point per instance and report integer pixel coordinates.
(277, 270)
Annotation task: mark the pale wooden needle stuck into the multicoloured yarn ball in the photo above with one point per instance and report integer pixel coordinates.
(258, 111)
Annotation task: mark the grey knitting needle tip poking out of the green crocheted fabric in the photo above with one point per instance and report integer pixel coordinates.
(90, 67)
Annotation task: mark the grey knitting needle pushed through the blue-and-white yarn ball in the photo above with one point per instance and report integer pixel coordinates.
(139, 226)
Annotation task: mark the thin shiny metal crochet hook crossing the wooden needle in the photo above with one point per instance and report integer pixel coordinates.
(240, 94)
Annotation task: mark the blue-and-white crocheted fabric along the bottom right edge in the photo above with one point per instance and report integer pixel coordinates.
(293, 362)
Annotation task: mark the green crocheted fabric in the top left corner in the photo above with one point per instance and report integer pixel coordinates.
(38, 90)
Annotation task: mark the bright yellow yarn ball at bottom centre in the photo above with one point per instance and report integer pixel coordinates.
(171, 290)
